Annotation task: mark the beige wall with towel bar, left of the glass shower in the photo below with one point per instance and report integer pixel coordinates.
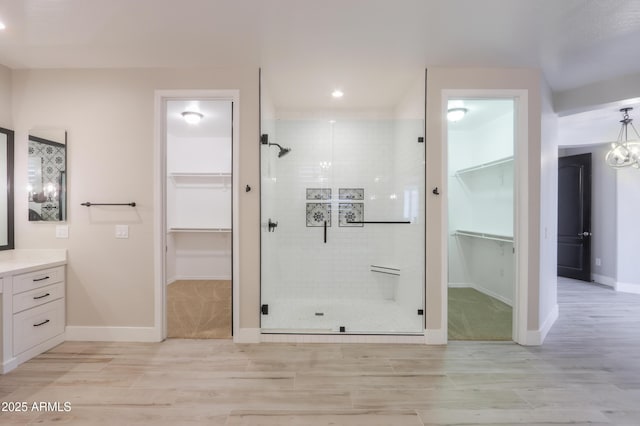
(109, 115)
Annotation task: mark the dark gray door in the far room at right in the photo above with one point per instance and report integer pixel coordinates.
(574, 217)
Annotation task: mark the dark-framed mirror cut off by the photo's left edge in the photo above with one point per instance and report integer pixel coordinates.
(6, 185)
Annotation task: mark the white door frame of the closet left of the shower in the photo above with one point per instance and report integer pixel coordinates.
(160, 182)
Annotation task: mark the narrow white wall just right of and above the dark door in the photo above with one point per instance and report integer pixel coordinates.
(603, 213)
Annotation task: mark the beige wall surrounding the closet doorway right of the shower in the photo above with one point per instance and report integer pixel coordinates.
(439, 80)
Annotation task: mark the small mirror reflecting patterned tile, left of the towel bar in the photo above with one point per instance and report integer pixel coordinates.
(47, 170)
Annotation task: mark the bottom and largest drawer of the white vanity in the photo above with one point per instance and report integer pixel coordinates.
(37, 325)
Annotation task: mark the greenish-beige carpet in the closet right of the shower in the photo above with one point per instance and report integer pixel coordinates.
(475, 316)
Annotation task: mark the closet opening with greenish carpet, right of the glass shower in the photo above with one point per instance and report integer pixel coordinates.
(481, 206)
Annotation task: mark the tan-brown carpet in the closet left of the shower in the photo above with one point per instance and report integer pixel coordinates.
(199, 309)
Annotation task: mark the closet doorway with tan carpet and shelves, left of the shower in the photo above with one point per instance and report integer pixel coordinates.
(196, 244)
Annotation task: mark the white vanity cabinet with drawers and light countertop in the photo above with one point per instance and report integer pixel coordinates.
(33, 303)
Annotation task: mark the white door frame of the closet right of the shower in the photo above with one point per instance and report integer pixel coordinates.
(520, 210)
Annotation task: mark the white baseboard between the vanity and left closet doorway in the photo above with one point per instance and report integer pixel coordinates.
(111, 334)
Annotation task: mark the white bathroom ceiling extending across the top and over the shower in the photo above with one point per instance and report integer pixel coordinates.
(310, 47)
